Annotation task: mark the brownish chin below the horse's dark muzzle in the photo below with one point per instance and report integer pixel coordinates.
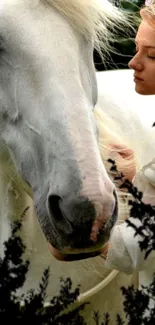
(73, 257)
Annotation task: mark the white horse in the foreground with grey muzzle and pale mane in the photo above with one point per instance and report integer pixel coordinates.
(48, 140)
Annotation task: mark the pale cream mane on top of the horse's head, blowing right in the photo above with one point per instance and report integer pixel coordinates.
(93, 18)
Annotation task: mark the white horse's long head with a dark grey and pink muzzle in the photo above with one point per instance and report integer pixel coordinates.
(47, 94)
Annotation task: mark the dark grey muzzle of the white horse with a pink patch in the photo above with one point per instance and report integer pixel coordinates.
(82, 233)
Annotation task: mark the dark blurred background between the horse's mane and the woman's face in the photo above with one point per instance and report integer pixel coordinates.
(123, 46)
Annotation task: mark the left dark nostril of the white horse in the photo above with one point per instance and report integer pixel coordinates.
(54, 207)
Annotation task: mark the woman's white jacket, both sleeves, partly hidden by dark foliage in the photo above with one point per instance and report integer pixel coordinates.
(124, 252)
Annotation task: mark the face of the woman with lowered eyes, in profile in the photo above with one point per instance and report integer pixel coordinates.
(143, 63)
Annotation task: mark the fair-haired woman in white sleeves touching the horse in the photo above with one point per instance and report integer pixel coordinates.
(123, 251)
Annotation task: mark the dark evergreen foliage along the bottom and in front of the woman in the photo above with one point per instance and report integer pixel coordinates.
(30, 308)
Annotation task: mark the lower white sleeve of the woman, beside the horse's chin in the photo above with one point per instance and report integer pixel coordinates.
(124, 253)
